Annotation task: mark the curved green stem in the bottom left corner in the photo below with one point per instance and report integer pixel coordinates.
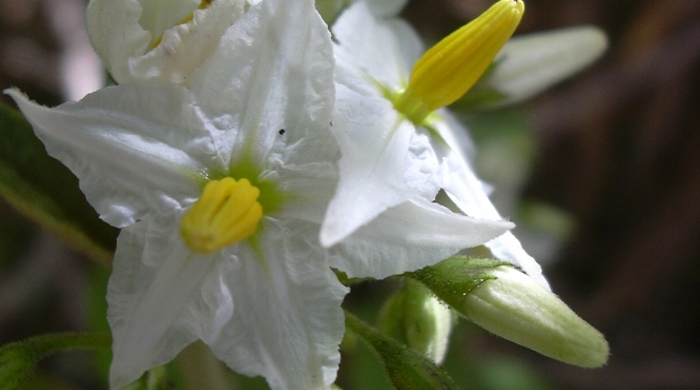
(18, 360)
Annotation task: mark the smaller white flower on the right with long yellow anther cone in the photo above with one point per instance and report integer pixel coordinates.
(374, 61)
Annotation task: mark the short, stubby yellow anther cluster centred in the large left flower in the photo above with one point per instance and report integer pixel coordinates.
(227, 212)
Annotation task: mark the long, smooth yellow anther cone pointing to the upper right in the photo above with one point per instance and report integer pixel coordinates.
(450, 68)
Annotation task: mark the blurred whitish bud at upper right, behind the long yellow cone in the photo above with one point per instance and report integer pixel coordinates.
(529, 64)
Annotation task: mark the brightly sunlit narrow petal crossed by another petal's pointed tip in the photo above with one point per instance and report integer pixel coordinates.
(468, 193)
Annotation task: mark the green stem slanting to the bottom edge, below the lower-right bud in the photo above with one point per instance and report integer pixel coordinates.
(406, 368)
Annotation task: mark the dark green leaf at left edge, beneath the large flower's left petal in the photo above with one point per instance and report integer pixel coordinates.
(46, 192)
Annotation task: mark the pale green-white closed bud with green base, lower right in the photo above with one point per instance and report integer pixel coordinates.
(510, 304)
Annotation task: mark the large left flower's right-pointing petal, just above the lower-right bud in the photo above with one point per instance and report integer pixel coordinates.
(409, 237)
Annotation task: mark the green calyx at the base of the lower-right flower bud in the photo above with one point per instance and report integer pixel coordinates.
(454, 278)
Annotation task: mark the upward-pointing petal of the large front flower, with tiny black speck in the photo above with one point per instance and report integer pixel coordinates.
(275, 67)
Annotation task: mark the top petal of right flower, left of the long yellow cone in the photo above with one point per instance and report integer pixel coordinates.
(383, 49)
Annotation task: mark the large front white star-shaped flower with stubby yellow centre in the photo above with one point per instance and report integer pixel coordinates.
(220, 190)
